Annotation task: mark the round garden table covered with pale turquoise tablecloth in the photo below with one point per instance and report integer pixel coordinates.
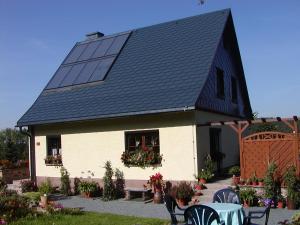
(231, 214)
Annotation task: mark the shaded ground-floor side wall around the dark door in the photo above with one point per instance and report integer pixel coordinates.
(229, 139)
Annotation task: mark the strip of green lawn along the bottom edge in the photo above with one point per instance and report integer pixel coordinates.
(89, 218)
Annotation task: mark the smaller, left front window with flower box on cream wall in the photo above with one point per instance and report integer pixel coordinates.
(53, 150)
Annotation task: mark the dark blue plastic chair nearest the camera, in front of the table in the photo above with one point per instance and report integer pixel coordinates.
(201, 215)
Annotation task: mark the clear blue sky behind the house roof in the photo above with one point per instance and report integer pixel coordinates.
(35, 36)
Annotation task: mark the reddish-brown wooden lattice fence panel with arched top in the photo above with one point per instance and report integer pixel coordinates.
(257, 150)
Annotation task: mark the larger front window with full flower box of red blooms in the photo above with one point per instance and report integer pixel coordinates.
(142, 148)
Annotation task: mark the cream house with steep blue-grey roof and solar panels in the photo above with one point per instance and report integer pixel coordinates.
(142, 93)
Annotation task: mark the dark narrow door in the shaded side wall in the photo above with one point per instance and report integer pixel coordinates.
(215, 147)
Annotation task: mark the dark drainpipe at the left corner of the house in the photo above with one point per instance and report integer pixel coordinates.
(31, 151)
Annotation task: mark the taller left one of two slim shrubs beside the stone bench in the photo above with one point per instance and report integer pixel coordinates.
(109, 188)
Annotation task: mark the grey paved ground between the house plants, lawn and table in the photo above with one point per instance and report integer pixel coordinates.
(140, 209)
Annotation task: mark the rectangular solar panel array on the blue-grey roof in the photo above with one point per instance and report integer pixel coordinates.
(88, 61)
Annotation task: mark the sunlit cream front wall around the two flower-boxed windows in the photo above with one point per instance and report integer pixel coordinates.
(87, 145)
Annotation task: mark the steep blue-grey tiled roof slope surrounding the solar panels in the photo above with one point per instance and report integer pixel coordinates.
(161, 68)
